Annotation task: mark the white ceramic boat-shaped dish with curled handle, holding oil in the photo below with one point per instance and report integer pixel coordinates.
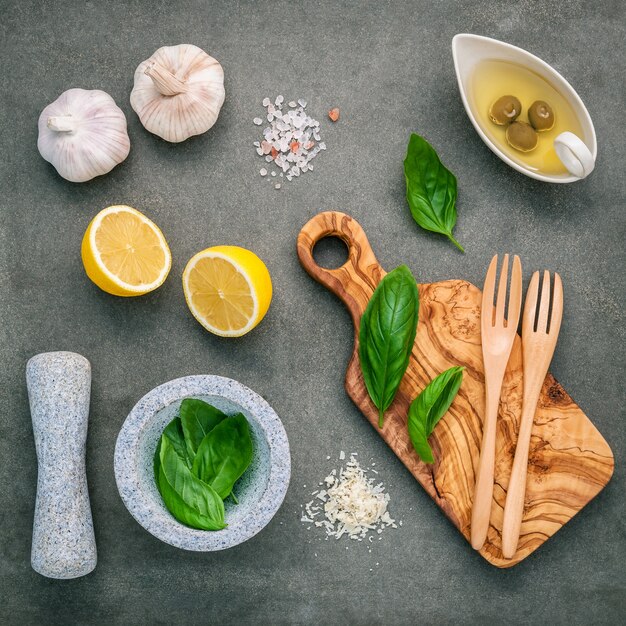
(578, 155)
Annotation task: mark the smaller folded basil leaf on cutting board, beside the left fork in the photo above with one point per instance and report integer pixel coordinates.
(429, 407)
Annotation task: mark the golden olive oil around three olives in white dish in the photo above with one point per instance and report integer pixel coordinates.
(492, 79)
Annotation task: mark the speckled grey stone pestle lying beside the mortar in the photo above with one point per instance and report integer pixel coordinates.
(59, 387)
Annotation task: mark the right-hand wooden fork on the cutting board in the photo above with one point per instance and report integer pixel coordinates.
(537, 350)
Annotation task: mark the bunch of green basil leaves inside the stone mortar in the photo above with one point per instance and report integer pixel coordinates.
(199, 458)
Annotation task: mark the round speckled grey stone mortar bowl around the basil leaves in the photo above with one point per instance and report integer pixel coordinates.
(260, 490)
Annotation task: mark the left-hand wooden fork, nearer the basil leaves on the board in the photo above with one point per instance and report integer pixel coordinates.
(497, 341)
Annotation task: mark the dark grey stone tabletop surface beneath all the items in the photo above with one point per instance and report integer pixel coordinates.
(388, 66)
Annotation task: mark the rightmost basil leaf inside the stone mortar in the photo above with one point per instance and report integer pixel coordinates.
(224, 454)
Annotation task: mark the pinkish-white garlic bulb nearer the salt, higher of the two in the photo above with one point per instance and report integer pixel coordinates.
(178, 92)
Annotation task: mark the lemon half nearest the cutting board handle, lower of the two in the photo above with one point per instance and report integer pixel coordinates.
(228, 289)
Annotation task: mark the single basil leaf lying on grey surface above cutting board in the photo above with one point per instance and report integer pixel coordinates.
(430, 189)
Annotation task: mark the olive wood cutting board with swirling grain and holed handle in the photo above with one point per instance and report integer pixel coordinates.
(569, 460)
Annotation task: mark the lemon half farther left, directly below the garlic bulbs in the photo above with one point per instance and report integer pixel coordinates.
(124, 252)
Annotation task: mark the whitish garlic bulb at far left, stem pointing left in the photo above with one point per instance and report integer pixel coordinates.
(83, 134)
